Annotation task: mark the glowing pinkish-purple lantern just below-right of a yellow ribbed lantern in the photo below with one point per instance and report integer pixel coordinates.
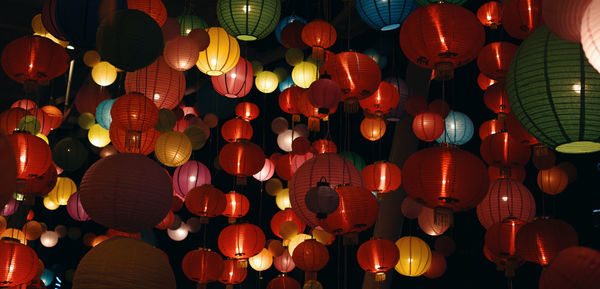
(188, 176)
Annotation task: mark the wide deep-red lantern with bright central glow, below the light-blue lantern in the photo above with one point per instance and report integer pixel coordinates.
(445, 177)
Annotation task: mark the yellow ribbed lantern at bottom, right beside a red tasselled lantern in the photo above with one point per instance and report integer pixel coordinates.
(415, 256)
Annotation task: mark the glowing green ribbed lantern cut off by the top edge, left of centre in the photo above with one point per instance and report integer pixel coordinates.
(249, 20)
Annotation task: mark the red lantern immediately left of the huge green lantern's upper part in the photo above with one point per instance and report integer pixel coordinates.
(494, 59)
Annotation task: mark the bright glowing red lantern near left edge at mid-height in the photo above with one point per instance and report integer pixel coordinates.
(32, 154)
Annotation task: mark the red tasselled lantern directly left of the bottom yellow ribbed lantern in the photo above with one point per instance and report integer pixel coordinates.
(377, 256)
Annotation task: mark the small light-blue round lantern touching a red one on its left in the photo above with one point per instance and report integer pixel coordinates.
(459, 129)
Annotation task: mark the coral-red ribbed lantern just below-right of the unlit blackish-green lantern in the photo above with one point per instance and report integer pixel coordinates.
(159, 82)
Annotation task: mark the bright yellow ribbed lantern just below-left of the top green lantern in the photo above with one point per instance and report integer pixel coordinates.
(222, 53)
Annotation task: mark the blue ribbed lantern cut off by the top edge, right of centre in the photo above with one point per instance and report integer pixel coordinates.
(385, 15)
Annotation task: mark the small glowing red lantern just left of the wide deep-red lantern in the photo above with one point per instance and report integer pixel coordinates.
(382, 177)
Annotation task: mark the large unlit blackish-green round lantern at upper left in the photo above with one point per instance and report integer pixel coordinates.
(129, 39)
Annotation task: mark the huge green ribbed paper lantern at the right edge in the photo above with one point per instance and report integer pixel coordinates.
(555, 93)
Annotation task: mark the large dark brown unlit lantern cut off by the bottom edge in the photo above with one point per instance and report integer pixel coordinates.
(121, 260)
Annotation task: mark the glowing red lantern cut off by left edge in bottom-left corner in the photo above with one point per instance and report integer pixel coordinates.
(21, 263)
